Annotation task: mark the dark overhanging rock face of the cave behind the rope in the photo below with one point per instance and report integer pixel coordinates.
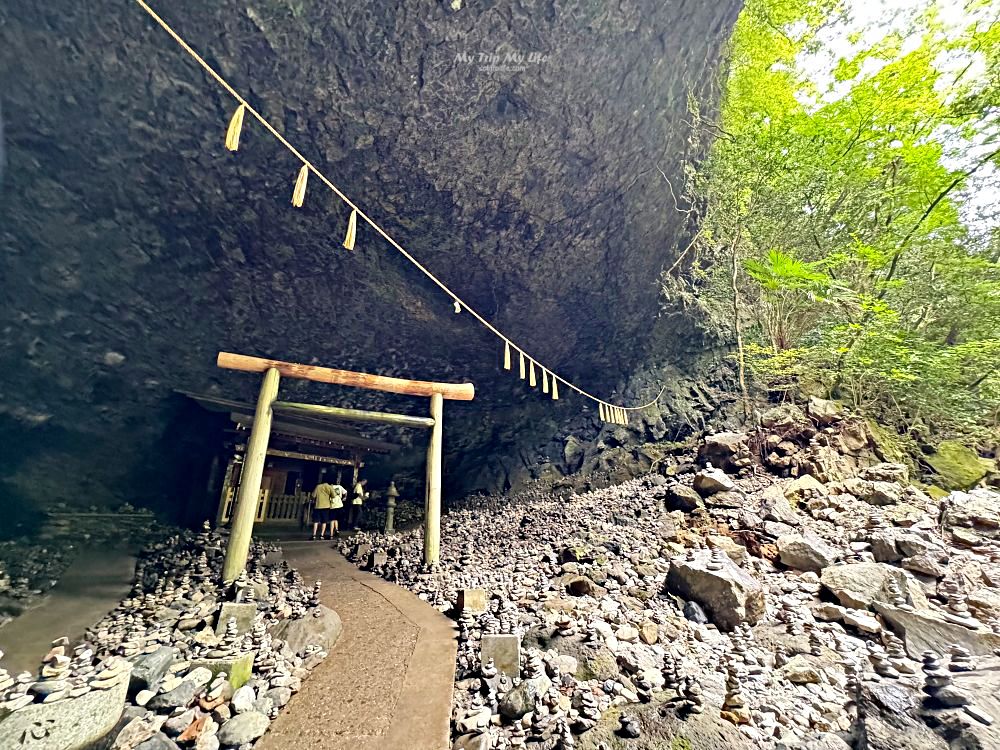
(516, 148)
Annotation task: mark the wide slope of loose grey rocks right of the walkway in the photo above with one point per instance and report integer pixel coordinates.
(732, 609)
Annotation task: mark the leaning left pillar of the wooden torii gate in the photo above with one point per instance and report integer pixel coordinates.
(253, 470)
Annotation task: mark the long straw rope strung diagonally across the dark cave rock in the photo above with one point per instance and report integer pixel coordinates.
(309, 167)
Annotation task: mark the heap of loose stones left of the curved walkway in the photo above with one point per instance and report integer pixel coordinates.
(204, 663)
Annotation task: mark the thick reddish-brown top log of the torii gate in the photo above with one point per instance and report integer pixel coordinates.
(451, 391)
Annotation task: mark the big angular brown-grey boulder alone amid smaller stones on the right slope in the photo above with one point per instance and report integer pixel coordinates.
(730, 596)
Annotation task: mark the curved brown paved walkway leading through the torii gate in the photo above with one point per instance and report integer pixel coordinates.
(387, 683)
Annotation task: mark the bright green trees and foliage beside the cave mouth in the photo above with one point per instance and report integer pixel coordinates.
(843, 211)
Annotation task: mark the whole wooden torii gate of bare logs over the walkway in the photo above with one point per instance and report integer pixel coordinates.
(268, 405)
